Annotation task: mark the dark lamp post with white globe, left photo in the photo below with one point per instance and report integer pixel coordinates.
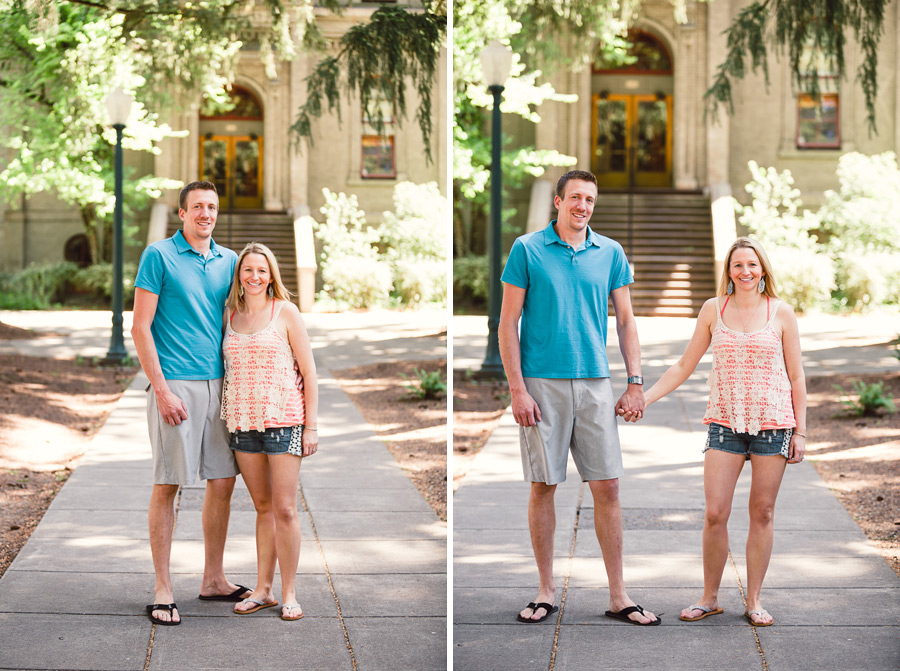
(118, 104)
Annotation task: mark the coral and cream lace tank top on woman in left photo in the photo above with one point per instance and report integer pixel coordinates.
(260, 390)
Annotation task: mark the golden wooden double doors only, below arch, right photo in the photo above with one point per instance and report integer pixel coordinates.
(631, 140)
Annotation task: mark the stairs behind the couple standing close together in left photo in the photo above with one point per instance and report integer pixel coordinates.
(274, 229)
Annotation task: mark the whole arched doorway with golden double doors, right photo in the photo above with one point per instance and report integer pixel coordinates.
(631, 115)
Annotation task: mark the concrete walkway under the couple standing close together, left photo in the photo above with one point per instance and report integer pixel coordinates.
(372, 576)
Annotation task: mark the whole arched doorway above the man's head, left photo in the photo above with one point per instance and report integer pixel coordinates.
(231, 150)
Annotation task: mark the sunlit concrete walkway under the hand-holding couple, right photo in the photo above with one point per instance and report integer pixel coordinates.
(835, 601)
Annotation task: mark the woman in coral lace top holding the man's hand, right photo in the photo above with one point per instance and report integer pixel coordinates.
(756, 411)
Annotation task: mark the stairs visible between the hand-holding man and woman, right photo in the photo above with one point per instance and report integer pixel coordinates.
(671, 248)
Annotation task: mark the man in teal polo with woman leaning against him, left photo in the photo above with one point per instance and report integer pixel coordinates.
(179, 302)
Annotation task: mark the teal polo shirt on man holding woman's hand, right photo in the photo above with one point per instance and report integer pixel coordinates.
(562, 333)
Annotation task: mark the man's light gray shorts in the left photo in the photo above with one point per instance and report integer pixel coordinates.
(200, 444)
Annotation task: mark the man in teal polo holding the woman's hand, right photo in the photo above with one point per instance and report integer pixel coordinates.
(559, 281)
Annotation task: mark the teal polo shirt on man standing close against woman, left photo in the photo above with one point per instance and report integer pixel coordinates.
(187, 327)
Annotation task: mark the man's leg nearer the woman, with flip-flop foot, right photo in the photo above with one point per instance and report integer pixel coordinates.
(608, 526)
